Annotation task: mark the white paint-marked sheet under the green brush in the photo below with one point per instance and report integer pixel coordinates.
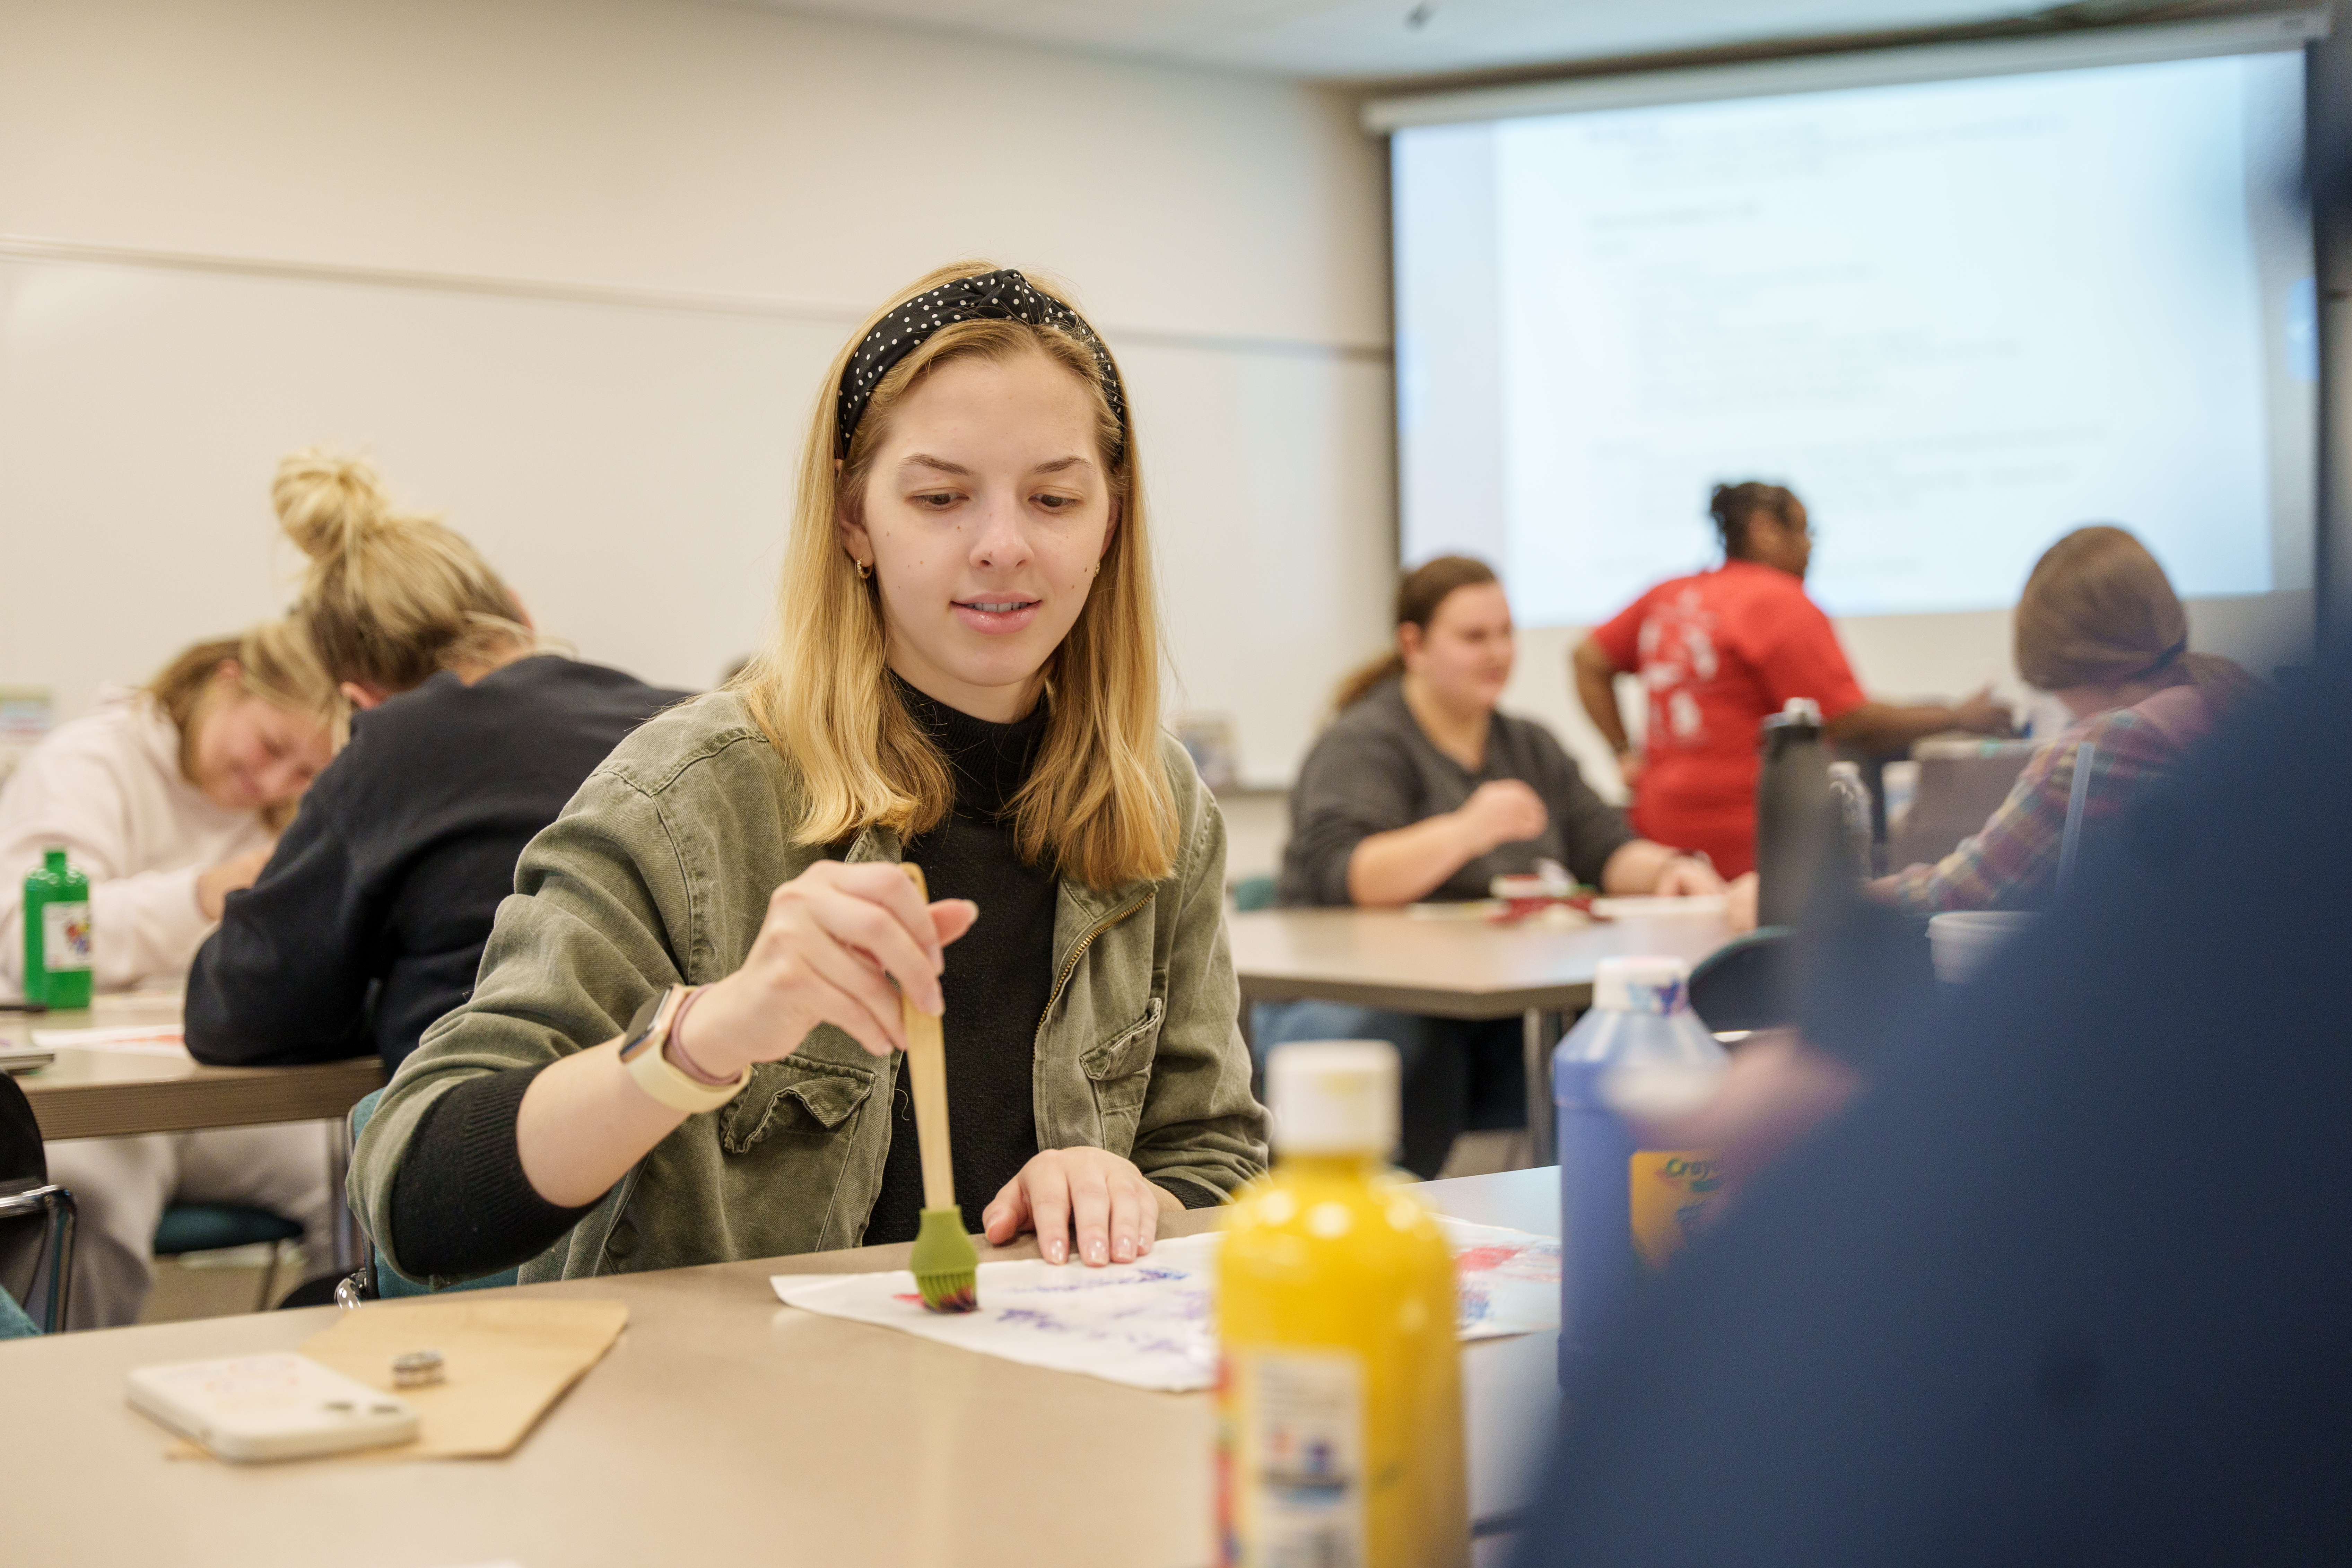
(1149, 1325)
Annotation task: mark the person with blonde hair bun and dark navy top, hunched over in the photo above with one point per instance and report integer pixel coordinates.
(469, 739)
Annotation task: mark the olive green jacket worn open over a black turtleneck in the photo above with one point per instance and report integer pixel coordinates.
(660, 871)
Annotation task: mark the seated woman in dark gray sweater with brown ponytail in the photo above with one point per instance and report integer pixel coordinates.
(1422, 791)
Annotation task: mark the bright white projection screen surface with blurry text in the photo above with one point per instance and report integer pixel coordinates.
(1958, 319)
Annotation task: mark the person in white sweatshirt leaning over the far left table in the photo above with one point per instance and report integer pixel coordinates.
(171, 798)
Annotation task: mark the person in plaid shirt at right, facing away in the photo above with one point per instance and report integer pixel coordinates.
(2102, 629)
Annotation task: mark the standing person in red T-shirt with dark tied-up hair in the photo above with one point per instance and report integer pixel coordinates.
(1723, 650)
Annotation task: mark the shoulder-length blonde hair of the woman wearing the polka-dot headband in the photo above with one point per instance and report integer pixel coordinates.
(1097, 805)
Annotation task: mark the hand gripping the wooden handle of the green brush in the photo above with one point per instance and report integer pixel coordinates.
(834, 942)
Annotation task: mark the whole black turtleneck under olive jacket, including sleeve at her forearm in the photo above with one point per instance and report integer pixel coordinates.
(462, 1202)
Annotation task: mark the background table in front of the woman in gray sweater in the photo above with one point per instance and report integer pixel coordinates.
(1455, 970)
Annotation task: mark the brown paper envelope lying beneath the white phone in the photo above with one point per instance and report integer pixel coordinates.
(507, 1365)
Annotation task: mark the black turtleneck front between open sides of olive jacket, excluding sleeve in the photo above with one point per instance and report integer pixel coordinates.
(998, 977)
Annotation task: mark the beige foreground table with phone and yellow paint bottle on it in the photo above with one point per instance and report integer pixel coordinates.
(723, 1428)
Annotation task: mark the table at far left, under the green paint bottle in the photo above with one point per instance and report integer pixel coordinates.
(109, 1094)
